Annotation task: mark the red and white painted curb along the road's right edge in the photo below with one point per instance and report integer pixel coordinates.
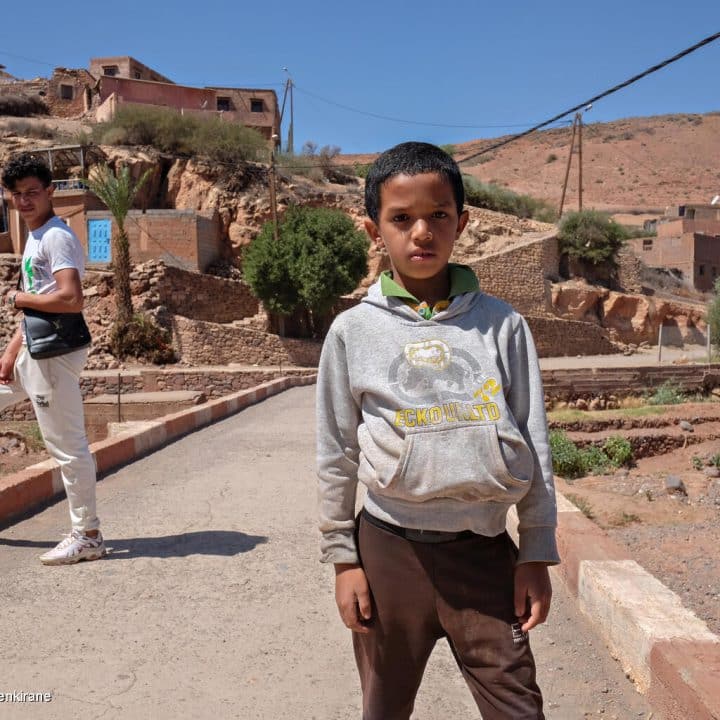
(670, 653)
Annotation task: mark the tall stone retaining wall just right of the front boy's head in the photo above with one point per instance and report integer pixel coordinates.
(522, 276)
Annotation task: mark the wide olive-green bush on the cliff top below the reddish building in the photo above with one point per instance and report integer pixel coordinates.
(190, 135)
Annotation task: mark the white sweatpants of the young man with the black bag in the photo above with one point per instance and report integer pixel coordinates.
(53, 386)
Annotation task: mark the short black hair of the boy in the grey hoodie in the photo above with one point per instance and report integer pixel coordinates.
(411, 158)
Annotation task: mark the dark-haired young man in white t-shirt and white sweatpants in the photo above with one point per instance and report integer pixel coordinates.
(52, 268)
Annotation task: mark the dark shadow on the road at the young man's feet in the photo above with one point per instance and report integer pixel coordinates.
(204, 542)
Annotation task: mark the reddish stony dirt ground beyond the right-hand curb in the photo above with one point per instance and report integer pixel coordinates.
(673, 532)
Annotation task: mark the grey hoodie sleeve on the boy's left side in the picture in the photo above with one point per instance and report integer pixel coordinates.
(338, 417)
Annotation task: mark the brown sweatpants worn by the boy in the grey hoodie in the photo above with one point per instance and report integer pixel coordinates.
(461, 590)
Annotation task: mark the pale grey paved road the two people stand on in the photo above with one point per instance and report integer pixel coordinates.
(212, 603)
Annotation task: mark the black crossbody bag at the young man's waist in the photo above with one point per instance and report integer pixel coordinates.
(52, 334)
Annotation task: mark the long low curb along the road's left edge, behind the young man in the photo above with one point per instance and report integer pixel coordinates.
(35, 485)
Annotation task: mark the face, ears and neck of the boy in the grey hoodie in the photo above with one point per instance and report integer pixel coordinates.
(418, 224)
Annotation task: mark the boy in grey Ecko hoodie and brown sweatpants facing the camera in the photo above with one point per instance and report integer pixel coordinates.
(429, 394)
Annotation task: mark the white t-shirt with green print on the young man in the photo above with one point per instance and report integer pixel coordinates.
(51, 247)
